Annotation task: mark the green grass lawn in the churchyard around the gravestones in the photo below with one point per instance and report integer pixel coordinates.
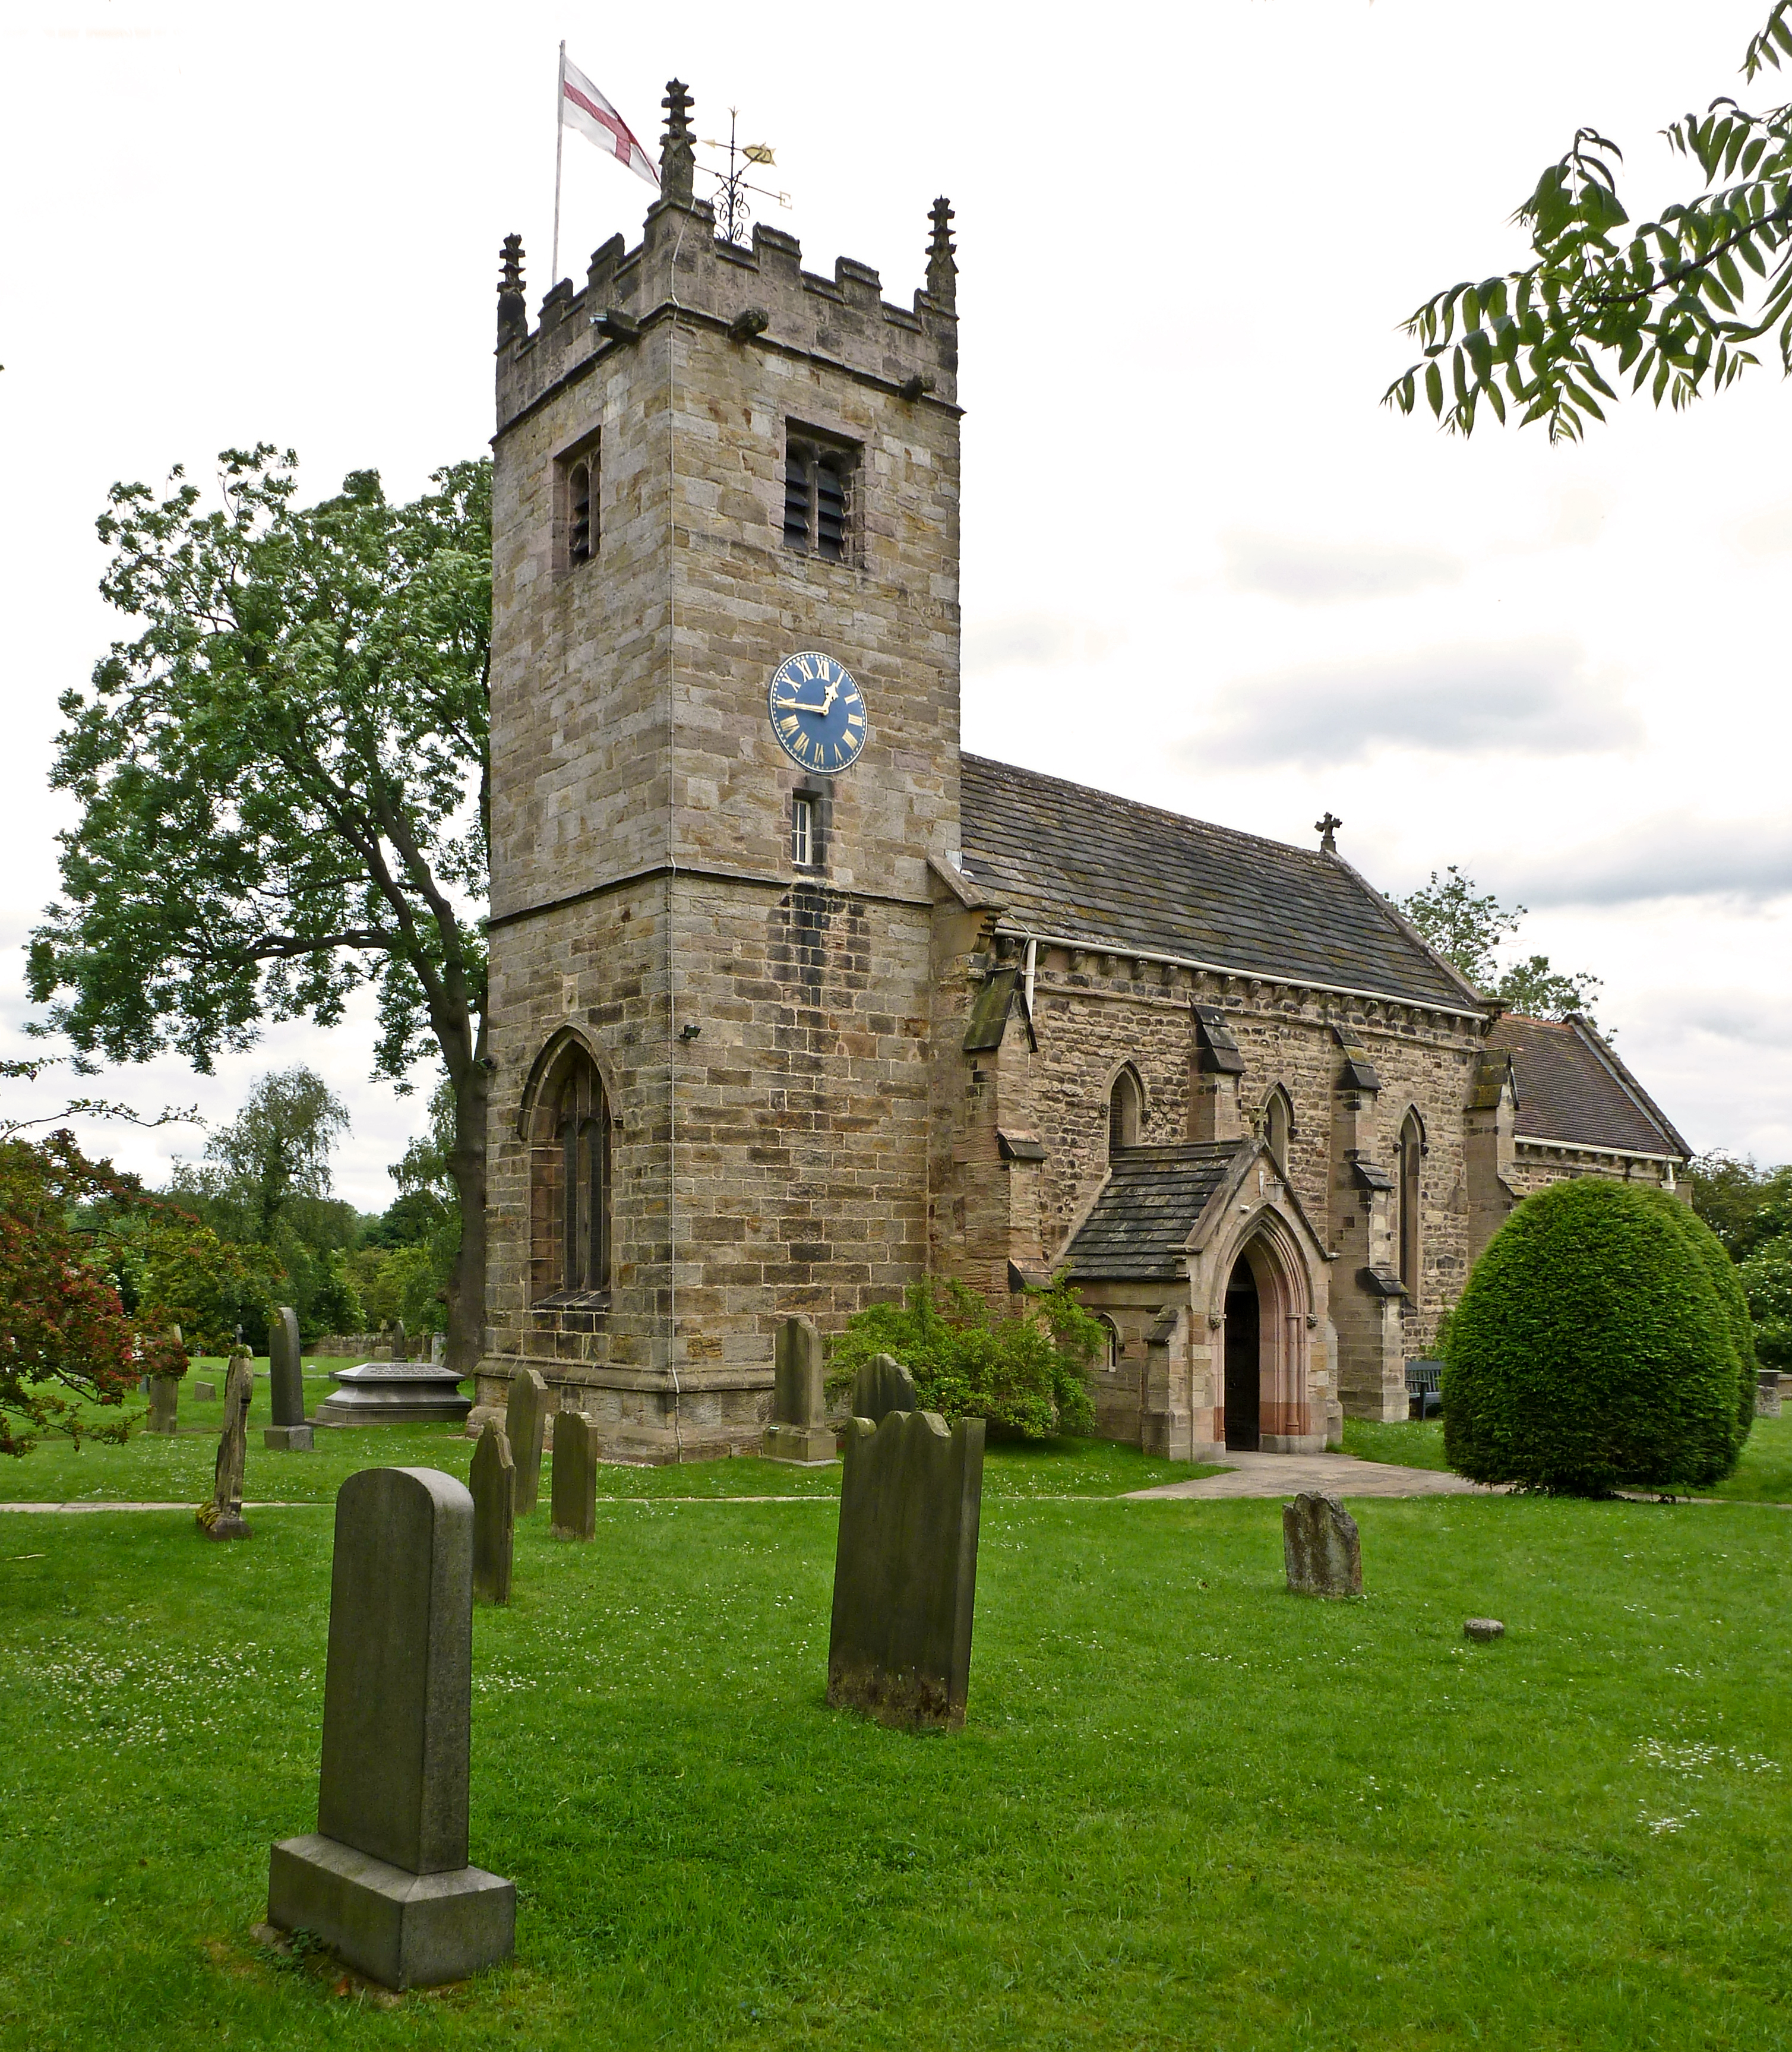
(1187, 1809)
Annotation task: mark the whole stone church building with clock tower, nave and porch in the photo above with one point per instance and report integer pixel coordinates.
(795, 1004)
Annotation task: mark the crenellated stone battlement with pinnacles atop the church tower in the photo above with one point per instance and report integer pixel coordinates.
(761, 297)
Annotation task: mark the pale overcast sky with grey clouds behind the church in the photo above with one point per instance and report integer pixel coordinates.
(1204, 567)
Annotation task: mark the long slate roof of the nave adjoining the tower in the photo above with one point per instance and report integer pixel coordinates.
(1085, 865)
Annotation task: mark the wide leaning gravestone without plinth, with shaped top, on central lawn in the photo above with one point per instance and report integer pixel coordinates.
(906, 1569)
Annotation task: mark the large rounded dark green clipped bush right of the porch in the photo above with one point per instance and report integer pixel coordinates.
(1596, 1345)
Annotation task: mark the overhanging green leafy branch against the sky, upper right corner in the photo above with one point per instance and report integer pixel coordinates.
(1670, 305)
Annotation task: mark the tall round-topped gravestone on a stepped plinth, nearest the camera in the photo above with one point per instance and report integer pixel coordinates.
(385, 1879)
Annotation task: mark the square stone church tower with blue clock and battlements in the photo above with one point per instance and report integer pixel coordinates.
(711, 970)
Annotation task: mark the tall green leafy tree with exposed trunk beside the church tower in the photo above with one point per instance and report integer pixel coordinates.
(284, 789)
